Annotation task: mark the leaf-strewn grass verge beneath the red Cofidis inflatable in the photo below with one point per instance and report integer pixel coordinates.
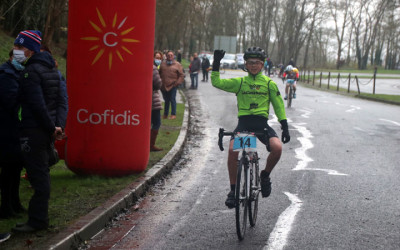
(73, 196)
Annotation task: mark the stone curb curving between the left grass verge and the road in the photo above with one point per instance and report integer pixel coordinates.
(90, 224)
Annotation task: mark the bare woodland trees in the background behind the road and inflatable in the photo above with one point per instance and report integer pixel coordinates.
(356, 34)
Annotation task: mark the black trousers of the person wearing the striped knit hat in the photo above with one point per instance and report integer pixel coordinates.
(36, 150)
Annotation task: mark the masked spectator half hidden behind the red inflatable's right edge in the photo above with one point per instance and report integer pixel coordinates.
(156, 104)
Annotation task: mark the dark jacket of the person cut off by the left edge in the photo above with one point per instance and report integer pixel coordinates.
(9, 122)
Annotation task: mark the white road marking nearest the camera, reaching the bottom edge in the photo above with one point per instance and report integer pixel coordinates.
(278, 237)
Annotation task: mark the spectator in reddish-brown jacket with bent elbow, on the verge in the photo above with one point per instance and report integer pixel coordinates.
(171, 74)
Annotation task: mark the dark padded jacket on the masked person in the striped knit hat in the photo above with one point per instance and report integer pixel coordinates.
(42, 101)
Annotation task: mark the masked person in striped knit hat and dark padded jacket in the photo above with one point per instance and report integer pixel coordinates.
(42, 117)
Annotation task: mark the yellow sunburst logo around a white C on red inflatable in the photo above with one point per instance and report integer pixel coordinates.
(111, 39)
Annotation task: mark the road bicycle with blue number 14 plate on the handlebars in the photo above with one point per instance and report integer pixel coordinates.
(248, 179)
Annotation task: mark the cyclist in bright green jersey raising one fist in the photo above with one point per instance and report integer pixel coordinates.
(254, 94)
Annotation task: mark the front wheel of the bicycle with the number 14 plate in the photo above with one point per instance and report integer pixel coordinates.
(241, 199)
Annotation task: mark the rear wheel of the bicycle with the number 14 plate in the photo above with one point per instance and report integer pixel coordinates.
(254, 190)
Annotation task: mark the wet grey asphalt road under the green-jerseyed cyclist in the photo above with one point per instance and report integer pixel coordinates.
(336, 187)
